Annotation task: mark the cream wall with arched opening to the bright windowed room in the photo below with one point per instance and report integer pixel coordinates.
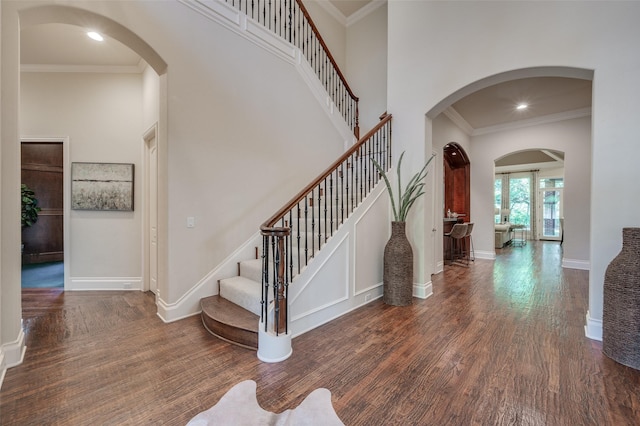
(573, 137)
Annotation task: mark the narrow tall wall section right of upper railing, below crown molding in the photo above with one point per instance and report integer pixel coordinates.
(367, 65)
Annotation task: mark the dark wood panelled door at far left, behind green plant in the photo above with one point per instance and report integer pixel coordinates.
(42, 171)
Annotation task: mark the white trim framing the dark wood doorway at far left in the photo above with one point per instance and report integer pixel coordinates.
(66, 198)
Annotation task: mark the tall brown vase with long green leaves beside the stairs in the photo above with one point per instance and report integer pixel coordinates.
(398, 254)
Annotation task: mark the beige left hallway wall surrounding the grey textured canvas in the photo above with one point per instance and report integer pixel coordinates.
(101, 114)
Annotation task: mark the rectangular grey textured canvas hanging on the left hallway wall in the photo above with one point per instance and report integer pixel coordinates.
(102, 186)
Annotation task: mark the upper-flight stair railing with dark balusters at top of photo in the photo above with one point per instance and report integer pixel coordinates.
(290, 20)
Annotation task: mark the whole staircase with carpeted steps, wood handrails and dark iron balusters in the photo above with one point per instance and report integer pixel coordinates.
(295, 234)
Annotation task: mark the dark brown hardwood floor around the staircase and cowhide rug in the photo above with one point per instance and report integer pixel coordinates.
(498, 343)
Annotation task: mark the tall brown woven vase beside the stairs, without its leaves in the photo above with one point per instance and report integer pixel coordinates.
(398, 268)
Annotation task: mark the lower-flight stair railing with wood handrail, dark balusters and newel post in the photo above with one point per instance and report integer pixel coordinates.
(295, 234)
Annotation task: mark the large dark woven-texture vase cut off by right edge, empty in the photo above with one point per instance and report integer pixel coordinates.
(621, 310)
